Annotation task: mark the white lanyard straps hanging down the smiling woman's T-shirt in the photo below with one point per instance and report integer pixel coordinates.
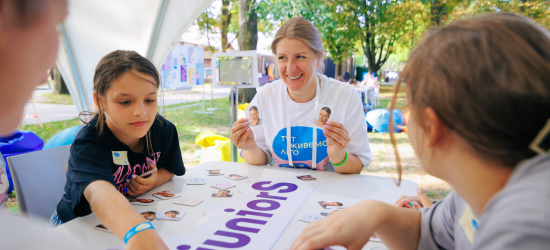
(314, 128)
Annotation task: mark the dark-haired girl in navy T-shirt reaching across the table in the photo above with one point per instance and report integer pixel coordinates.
(124, 139)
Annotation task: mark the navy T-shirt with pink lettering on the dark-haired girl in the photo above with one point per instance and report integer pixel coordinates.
(91, 159)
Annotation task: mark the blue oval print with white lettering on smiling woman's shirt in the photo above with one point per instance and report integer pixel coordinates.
(301, 147)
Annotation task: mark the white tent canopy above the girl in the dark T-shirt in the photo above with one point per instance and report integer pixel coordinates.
(94, 28)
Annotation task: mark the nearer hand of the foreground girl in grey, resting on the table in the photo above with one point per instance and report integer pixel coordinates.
(351, 228)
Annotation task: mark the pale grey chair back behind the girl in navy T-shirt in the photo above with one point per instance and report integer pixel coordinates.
(39, 180)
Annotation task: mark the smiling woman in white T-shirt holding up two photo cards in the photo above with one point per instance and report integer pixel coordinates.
(288, 107)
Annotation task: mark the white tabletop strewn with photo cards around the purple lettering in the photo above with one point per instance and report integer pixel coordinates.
(332, 186)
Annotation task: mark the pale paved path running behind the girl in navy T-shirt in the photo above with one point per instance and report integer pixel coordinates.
(59, 112)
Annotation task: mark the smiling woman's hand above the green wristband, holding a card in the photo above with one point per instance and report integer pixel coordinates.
(337, 140)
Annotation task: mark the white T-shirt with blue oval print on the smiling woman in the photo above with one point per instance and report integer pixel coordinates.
(345, 107)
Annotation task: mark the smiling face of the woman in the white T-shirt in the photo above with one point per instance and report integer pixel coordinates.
(297, 63)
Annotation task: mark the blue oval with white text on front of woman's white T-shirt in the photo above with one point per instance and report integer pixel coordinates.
(301, 143)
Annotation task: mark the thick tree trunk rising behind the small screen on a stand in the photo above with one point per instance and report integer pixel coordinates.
(248, 39)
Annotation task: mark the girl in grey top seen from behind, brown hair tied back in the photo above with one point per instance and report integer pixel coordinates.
(479, 92)
